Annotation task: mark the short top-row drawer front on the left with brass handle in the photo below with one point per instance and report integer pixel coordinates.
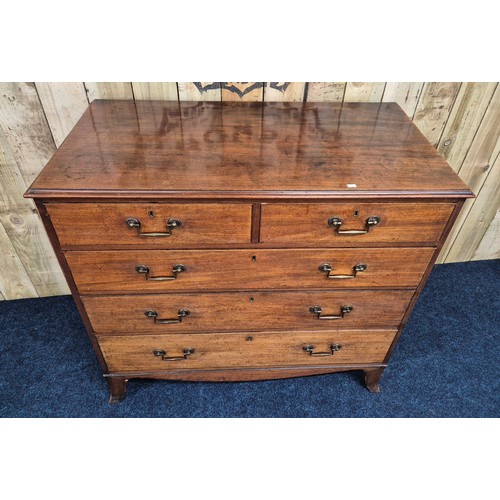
(161, 225)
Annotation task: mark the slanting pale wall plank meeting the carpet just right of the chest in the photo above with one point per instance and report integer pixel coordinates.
(479, 216)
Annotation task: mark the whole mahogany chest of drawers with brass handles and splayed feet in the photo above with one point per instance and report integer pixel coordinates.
(245, 241)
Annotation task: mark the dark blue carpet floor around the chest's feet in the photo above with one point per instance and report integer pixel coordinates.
(446, 364)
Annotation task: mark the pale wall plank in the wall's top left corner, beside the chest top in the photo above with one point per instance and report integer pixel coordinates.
(25, 127)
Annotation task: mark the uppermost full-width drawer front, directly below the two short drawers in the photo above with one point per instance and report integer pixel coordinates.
(141, 271)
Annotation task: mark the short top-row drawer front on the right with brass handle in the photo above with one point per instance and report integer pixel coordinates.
(351, 224)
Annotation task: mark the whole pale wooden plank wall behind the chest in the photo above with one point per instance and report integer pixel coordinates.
(462, 120)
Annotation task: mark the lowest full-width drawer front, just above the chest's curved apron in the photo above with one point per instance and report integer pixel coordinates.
(128, 353)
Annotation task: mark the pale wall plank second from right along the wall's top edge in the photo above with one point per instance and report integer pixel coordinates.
(433, 109)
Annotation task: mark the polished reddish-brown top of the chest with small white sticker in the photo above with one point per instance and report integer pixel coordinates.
(256, 150)
